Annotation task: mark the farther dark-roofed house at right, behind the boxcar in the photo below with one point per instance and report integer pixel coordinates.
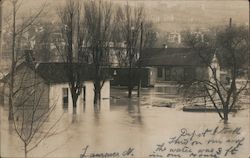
(179, 64)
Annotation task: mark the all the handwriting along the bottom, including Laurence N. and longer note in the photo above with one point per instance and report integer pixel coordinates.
(207, 143)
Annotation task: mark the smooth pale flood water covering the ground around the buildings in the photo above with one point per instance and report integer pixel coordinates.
(135, 123)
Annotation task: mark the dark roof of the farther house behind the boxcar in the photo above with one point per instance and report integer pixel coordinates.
(174, 57)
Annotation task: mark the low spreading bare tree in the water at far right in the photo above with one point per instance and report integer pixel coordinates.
(230, 46)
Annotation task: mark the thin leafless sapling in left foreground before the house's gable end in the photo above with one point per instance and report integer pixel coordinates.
(31, 109)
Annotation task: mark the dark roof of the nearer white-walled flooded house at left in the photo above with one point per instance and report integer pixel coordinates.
(57, 72)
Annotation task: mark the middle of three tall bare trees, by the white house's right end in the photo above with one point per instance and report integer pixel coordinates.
(98, 20)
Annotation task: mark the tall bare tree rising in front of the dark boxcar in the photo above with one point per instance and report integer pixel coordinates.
(144, 36)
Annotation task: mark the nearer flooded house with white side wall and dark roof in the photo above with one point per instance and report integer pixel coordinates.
(50, 81)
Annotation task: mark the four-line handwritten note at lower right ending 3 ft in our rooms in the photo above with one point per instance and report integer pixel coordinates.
(209, 143)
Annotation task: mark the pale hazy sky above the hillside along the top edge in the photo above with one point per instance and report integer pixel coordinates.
(173, 14)
